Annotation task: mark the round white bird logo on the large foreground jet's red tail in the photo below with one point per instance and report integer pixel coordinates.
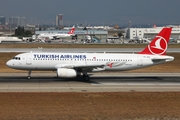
(158, 46)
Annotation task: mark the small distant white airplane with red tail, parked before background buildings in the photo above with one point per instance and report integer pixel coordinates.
(58, 35)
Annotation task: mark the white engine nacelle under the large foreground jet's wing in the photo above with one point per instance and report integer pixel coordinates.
(66, 73)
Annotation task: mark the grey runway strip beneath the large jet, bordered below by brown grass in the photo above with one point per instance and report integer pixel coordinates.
(99, 82)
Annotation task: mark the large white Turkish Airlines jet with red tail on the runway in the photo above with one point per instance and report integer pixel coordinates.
(71, 65)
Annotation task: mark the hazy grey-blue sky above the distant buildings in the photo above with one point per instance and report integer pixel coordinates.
(102, 12)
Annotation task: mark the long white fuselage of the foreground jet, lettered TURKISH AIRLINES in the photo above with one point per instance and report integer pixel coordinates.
(87, 61)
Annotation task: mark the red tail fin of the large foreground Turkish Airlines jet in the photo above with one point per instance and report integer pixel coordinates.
(159, 44)
